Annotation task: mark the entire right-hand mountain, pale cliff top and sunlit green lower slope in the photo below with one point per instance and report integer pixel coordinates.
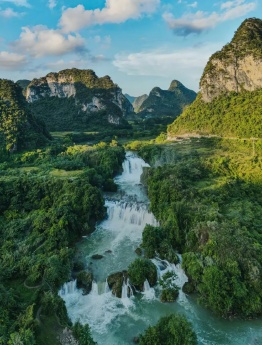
(230, 100)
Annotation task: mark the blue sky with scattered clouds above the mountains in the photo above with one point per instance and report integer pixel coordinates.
(139, 43)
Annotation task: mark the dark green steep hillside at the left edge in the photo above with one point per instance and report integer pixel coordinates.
(18, 127)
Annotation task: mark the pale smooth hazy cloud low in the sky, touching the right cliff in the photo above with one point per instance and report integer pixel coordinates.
(185, 64)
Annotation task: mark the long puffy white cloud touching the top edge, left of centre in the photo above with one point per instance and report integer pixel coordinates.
(115, 11)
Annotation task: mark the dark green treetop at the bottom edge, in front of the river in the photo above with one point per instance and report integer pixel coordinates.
(170, 330)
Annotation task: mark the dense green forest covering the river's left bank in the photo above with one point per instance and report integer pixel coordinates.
(49, 198)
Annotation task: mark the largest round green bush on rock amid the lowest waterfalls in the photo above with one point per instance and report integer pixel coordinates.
(140, 270)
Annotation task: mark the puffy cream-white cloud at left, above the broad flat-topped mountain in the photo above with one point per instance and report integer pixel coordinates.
(41, 41)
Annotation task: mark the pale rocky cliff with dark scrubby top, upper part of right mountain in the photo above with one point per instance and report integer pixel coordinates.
(238, 66)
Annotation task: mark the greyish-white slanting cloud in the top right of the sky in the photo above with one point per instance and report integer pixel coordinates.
(200, 21)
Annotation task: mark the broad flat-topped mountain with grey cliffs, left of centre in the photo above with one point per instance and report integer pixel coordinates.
(88, 95)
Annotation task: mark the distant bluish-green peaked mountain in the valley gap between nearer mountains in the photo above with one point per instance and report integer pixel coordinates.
(169, 102)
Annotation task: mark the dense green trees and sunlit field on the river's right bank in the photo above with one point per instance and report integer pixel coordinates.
(207, 196)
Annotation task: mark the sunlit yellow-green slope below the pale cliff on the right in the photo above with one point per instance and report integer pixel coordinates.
(232, 115)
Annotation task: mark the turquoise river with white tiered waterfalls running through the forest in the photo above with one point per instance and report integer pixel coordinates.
(116, 321)
